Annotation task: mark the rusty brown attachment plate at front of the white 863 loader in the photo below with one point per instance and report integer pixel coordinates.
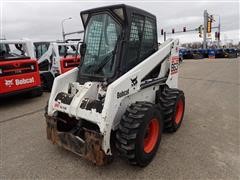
(89, 147)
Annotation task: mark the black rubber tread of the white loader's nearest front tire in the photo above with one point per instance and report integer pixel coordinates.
(127, 133)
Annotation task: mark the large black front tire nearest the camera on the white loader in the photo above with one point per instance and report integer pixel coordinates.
(132, 130)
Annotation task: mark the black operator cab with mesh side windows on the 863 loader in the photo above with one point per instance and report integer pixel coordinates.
(116, 39)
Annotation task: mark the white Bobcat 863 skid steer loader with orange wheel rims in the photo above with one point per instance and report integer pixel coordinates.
(124, 91)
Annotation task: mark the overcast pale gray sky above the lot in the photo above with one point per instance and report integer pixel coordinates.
(41, 20)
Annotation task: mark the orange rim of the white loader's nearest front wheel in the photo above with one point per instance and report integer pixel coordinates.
(151, 135)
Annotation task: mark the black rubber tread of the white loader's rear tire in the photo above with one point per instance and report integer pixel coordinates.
(167, 103)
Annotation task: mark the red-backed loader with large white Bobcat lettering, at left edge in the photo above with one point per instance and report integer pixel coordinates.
(19, 73)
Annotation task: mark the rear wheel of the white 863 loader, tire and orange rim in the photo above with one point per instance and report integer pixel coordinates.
(172, 103)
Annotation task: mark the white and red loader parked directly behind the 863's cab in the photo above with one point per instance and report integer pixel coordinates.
(55, 58)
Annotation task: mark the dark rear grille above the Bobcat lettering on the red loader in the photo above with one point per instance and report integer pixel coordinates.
(11, 69)
